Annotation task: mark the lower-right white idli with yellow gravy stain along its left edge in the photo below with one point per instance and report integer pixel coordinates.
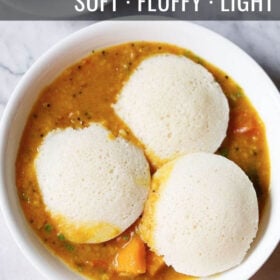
(201, 214)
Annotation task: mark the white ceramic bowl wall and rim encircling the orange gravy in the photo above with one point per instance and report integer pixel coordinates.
(203, 42)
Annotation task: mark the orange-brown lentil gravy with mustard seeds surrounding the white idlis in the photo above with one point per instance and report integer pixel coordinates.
(83, 93)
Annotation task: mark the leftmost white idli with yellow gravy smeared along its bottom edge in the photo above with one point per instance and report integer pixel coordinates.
(93, 185)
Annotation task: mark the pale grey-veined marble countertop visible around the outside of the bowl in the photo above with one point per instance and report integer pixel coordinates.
(21, 43)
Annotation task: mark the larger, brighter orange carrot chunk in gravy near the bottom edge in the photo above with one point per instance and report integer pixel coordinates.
(131, 258)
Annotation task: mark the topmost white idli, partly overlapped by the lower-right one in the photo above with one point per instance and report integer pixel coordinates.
(173, 106)
